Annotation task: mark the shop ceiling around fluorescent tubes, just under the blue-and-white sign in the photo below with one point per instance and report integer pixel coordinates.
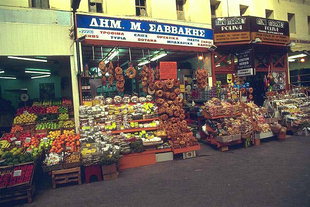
(93, 54)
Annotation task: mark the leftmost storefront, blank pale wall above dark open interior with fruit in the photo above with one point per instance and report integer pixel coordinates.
(37, 68)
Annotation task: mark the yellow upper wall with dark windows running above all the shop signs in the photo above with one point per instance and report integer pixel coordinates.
(199, 12)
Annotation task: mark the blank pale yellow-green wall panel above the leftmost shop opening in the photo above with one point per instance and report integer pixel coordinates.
(44, 32)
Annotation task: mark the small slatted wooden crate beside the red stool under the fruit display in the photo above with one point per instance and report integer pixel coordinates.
(66, 176)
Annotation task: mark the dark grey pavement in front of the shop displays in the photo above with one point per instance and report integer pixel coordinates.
(274, 174)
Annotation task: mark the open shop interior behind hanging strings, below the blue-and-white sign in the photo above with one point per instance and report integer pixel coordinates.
(186, 64)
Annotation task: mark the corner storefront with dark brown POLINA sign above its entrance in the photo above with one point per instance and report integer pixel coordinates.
(255, 49)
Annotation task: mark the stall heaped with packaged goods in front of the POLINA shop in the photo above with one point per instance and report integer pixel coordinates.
(231, 123)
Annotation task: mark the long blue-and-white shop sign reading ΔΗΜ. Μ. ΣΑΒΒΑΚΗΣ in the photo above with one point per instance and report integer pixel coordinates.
(140, 31)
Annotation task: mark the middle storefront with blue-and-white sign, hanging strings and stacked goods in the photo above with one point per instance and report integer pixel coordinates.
(138, 70)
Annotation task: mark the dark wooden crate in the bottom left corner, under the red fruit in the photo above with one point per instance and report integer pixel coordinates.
(17, 193)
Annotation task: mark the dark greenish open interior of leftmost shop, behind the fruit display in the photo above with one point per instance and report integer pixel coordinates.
(33, 81)
